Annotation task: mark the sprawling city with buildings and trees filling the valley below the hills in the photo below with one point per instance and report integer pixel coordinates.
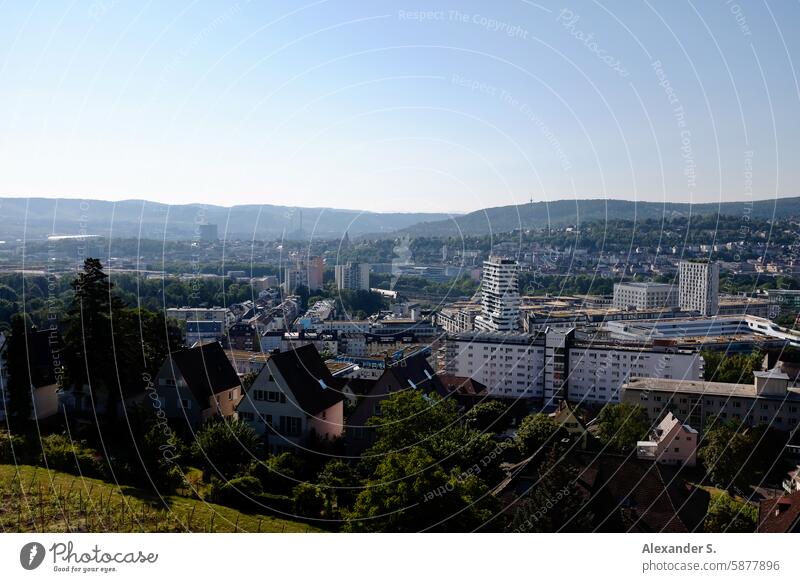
(654, 390)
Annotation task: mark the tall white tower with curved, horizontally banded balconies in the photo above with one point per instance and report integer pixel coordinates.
(499, 296)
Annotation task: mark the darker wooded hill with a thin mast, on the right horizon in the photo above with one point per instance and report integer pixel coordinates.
(576, 212)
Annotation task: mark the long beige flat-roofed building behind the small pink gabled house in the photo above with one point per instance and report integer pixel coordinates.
(769, 400)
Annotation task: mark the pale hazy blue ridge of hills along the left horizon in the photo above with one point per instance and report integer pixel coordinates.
(36, 218)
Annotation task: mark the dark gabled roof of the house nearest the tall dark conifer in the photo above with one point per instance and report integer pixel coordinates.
(206, 370)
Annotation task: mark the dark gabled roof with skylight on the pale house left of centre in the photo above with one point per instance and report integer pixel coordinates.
(309, 379)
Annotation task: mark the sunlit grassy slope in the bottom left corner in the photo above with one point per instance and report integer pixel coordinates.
(35, 499)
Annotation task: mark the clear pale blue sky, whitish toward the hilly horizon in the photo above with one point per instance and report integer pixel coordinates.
(419, 106)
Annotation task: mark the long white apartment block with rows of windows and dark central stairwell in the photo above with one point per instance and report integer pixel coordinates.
(552, 366)
